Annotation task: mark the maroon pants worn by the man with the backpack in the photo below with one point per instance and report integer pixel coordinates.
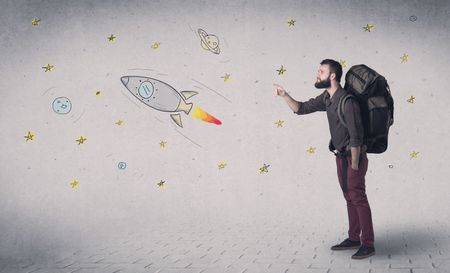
(358, 209)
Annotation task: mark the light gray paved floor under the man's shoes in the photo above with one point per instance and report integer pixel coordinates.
(250, 247)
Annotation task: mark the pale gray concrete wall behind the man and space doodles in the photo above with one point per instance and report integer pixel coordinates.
(40, 211)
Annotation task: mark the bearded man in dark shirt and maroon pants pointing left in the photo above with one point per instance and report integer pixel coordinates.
(351, 157)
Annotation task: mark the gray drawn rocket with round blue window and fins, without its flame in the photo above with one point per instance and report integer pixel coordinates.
(159, 95)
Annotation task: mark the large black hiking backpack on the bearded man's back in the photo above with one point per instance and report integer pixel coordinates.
(372, 92)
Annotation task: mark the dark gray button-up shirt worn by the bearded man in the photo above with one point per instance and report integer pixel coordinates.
(341, 137)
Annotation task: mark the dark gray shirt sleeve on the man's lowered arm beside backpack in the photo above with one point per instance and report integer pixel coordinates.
(352, 116)
